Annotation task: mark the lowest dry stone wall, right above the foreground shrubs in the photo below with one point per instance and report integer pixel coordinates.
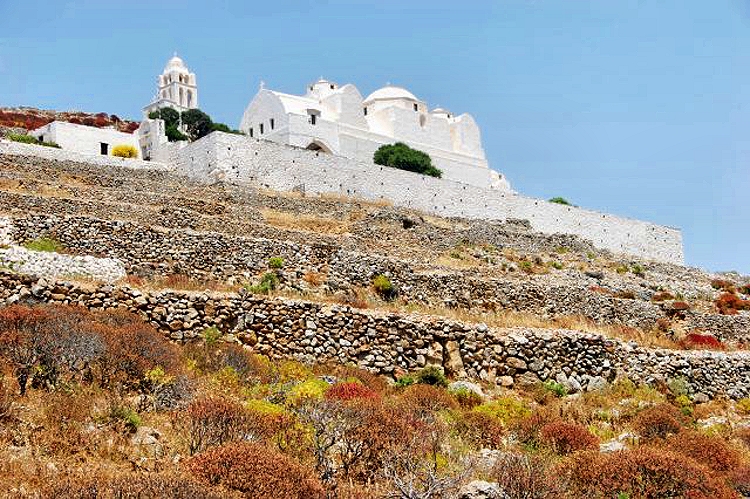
(391, 343)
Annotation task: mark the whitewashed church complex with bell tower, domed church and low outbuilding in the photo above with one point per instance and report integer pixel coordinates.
(329, 118)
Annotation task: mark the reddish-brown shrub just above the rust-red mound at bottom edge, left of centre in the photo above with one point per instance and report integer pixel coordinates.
(212, 421)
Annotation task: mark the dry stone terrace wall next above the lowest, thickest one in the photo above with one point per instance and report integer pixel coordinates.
(149, 251)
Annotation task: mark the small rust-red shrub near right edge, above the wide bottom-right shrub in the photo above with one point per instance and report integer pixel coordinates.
(712, 451)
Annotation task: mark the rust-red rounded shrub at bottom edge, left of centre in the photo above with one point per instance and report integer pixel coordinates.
(255, 471)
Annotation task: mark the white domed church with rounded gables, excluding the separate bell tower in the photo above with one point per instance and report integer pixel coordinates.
(337, 120)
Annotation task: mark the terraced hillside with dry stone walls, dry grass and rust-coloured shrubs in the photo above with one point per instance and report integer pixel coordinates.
(179, 329)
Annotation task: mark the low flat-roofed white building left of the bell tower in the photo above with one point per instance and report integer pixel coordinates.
(85, 139)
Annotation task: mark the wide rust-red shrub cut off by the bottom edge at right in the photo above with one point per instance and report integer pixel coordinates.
(644, 473)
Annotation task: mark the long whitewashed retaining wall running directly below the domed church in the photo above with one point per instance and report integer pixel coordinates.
(277, 166)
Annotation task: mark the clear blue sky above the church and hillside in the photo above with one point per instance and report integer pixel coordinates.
(636, 108)
